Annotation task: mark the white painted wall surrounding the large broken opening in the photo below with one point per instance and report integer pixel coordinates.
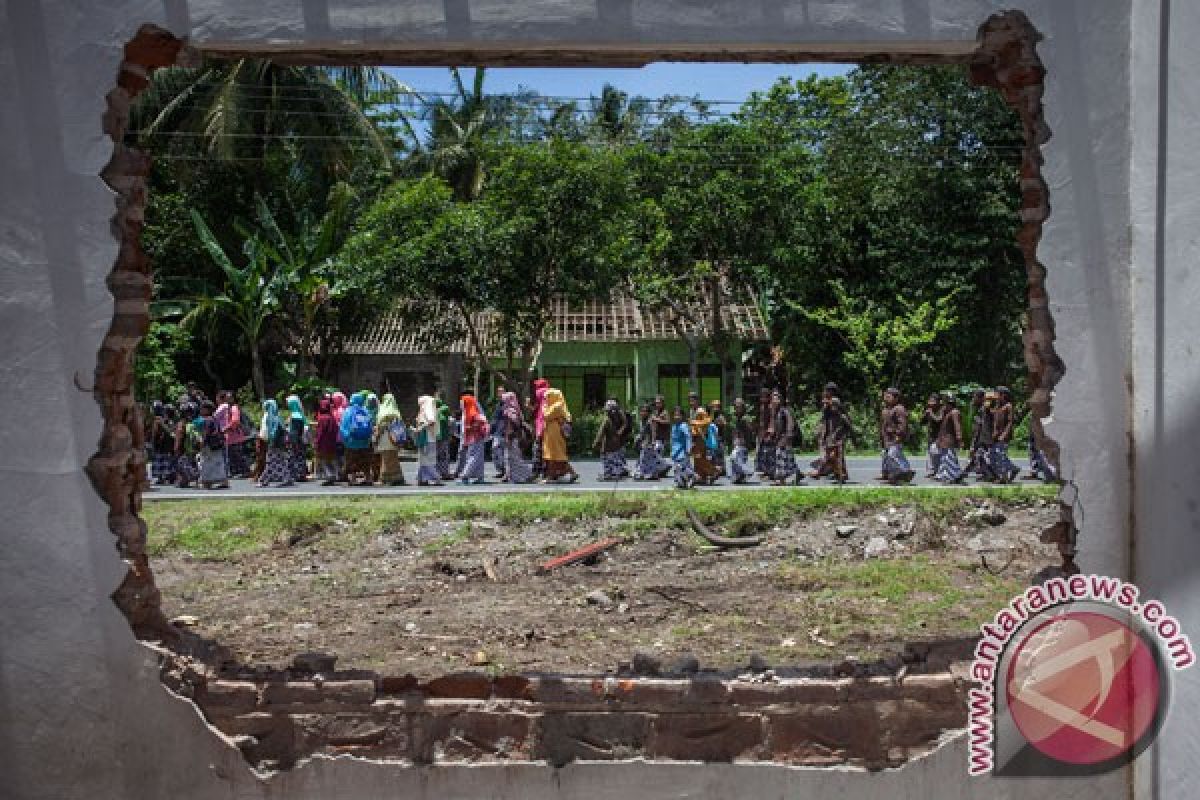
(82, 714)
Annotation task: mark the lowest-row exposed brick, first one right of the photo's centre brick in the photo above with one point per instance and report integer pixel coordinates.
(706, 737)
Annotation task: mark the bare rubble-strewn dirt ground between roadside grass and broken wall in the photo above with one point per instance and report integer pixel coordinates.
(447, 596)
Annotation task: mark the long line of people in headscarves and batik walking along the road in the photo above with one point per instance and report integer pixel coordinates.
(358, 441)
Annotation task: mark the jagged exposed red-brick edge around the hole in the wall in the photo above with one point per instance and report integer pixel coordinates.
(357, 712)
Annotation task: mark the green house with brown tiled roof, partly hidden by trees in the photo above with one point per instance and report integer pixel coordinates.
(592, 352)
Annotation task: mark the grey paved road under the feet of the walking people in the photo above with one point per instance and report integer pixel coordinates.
(862, 473)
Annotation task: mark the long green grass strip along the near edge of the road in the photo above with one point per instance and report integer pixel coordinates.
(226, 530)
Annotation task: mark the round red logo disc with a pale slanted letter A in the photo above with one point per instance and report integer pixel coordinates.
(1085, 689)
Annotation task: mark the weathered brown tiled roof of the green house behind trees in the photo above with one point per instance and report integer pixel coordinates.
(620, 320)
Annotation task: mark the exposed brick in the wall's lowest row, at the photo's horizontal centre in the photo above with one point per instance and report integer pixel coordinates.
(597, 736)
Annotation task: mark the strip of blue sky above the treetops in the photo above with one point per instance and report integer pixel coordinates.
(712, 82)
